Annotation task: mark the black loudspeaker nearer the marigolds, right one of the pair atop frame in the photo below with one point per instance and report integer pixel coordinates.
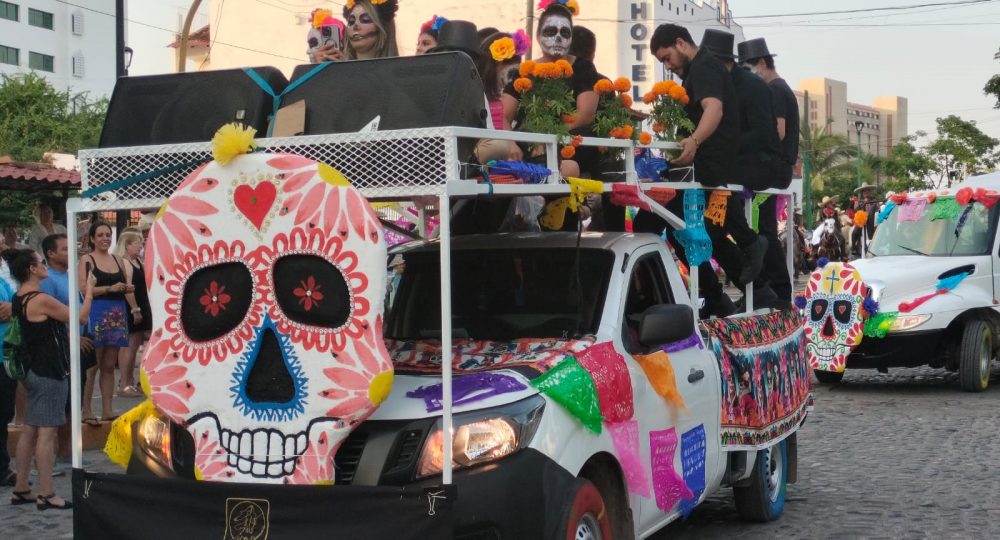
(407, 92)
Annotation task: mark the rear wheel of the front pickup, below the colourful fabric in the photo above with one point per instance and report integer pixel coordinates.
(764, 499)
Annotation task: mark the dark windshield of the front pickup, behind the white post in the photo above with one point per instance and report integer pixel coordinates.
(500, 294)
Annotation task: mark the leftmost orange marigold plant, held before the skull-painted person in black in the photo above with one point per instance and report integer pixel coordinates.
(547, 101)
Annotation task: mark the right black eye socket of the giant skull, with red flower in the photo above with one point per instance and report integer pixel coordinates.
(310, 290)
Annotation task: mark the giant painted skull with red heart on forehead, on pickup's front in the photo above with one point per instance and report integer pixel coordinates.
(266, 285)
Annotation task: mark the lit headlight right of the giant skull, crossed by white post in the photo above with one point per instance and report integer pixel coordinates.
(483, 436)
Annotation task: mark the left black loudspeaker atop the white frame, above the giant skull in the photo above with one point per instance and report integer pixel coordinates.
(187, 107)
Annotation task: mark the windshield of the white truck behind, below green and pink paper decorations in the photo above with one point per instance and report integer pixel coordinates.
(972, 235)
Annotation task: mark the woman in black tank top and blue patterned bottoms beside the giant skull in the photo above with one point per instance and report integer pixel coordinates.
(114, 298)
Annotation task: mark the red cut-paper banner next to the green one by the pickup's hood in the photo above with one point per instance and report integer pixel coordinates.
(611, 380)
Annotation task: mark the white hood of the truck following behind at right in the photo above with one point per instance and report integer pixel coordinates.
(898, 279)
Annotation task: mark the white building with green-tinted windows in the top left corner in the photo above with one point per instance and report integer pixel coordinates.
(73, 47)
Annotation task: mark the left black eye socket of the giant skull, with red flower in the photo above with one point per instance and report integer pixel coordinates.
(215, 301)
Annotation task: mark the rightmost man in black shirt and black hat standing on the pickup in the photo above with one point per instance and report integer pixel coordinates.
(755, 55)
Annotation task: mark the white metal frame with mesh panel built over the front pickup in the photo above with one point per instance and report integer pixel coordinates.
(449, 186)
